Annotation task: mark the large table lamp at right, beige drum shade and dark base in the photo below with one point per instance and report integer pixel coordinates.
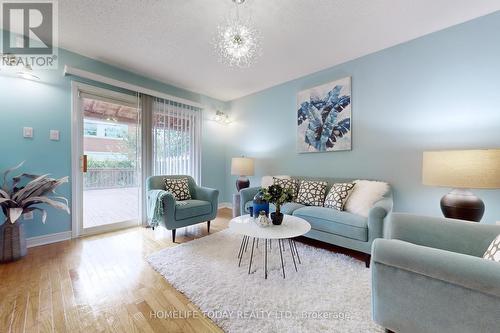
(462, 170)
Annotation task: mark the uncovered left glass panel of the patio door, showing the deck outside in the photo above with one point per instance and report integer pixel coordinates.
(111, 160)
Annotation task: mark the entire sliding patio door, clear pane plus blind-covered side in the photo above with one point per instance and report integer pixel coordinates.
(118, 140)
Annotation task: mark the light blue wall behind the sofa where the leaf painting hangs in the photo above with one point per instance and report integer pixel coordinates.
(441, 91)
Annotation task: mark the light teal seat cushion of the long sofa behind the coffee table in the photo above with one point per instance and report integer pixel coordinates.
(335, 222)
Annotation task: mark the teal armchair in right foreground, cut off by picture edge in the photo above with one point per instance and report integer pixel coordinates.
(431, 277)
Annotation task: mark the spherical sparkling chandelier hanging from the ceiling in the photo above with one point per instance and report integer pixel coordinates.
(237, 42)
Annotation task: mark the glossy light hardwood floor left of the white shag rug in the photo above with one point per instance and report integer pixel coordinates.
(100, 284)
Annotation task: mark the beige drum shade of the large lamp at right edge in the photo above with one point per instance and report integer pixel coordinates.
(462, 168)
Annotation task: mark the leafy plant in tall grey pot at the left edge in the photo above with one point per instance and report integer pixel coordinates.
(22, 195)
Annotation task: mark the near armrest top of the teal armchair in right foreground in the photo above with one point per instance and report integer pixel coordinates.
(463, 270)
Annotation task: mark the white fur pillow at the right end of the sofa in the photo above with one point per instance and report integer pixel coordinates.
(364, 195)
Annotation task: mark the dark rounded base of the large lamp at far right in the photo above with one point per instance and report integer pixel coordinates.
(462, 204)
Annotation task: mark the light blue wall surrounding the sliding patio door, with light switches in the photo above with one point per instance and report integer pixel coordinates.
(46, 104)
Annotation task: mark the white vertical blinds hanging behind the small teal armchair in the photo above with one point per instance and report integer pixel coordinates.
(176, 139)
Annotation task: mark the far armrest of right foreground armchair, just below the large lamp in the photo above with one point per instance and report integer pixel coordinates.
(441, 233)
